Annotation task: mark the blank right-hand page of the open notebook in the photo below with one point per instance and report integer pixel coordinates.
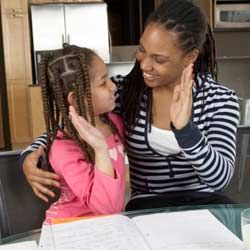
(189, 230)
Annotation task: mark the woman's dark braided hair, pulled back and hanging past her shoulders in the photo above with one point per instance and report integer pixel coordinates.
(189, 23)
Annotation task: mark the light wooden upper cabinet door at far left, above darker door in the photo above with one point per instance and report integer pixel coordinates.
(16, 46)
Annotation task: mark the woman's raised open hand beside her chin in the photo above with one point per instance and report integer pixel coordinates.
(181, 107)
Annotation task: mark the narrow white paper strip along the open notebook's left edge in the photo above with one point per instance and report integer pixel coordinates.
(46, 239)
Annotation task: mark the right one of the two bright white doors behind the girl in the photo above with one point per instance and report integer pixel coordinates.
(87, 26)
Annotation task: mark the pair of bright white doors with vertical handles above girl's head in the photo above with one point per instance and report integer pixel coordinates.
(85, 25)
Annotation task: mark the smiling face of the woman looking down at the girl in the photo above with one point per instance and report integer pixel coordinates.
(161, 59)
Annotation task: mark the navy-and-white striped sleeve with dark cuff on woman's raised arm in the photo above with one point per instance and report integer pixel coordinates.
(212, 154)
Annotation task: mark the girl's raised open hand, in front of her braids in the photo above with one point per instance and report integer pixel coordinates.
(87, 132)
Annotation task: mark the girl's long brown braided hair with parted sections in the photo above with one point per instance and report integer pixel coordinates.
(61, 72)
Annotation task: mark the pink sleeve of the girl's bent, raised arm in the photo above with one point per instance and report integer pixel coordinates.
(102, 194)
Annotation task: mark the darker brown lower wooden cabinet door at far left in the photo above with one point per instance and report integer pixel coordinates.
(18, 100)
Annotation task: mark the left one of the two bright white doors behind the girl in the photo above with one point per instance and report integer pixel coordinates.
(48, 26)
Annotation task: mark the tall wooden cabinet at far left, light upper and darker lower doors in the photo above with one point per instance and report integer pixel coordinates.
(17, 56)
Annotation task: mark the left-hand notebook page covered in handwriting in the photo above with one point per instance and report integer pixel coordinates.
(114, 232)
